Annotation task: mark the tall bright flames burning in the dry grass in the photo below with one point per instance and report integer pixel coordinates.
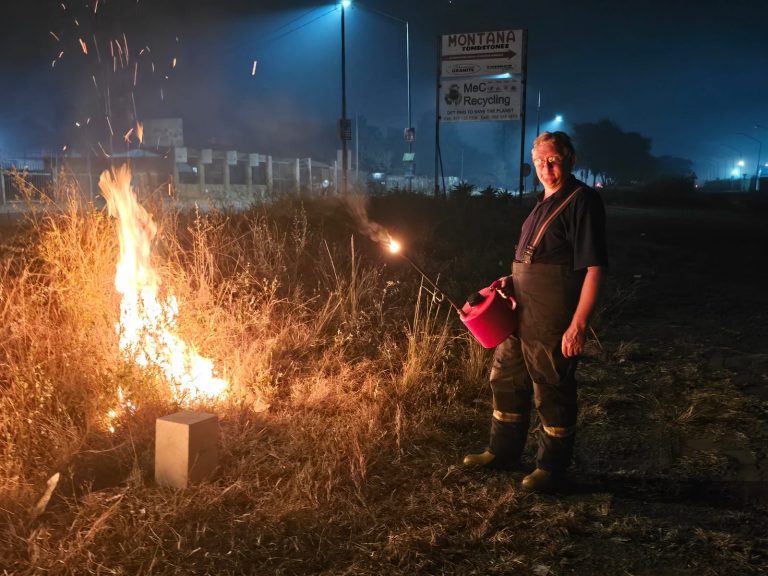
(147, 322)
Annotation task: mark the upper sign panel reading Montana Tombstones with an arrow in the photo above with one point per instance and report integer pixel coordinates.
(482, 53)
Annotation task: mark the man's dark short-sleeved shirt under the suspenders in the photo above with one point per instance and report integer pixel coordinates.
(576, 237)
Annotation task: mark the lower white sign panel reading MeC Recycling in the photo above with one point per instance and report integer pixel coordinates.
(479, 99)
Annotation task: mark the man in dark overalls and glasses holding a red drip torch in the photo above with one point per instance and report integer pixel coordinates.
(559, 267)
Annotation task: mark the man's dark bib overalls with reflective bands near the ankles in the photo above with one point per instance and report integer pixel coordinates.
(531, 363)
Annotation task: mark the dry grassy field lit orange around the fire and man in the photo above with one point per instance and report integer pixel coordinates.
(354, 395)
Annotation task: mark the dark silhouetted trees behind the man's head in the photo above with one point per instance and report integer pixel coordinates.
(617, 157)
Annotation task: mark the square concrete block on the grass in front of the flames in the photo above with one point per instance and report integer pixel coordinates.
(185, 448)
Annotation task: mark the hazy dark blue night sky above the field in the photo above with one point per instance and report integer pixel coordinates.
(689, 75)
